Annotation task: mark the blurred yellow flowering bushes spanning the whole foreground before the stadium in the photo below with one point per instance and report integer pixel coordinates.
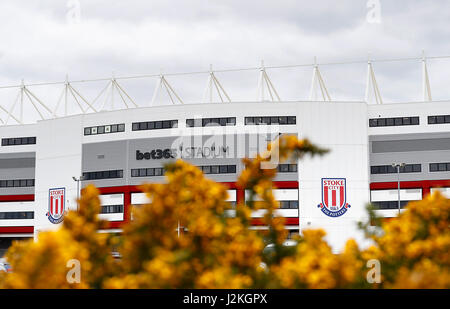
(188, 236)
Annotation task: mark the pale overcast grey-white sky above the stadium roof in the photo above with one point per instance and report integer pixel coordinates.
(42, 41)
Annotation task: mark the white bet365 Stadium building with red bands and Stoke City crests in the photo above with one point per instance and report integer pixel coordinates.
(44, 164)
